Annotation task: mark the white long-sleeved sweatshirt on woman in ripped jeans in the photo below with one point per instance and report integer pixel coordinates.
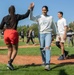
(46, 24)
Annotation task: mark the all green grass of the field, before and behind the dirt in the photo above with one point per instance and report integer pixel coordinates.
(64, 69)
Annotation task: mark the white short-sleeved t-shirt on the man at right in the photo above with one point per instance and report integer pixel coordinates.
(60, 25)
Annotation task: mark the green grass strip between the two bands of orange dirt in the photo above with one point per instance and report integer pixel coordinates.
(35, 51)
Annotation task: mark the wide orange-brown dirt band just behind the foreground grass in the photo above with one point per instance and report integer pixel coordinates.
(24, 60)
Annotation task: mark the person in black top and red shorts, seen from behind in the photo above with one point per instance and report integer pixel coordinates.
(10, 34)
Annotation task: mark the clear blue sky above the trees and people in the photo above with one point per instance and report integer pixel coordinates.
(67, 6)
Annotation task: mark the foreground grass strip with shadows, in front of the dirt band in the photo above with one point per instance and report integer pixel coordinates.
(38, 70)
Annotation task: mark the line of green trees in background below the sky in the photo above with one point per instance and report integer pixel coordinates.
(34, 26)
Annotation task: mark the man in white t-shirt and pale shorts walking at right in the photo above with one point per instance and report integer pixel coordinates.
(61, 35)
